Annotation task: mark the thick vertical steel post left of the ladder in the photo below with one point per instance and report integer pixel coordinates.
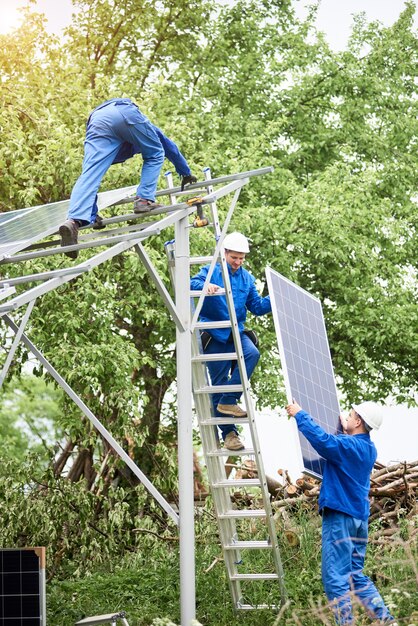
(185, 420)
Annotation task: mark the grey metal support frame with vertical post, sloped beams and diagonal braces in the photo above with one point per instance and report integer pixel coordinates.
(177, 215)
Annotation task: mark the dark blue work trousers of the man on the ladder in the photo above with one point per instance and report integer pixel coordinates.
(220, 373)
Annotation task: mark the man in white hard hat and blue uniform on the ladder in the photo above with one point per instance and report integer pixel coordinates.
(220, 340)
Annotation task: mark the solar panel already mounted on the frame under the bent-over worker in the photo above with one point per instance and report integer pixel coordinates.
(19, 229)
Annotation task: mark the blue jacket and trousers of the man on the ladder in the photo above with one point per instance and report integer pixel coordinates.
(215, 308)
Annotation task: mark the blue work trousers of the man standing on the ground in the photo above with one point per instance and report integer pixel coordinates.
(344, 542)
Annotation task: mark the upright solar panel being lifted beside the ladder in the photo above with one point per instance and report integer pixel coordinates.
(306, 360)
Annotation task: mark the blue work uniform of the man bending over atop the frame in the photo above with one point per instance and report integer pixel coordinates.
(116, 131)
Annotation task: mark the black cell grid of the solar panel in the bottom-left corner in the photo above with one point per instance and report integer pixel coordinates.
(20, 594)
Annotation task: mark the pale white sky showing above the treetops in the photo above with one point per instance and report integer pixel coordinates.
(334, 17)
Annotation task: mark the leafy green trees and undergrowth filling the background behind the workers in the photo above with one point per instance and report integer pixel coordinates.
(238, 86)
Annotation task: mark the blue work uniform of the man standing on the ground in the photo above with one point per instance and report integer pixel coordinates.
(345, 507)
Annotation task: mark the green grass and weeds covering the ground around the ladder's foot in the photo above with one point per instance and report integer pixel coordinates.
(146, 584)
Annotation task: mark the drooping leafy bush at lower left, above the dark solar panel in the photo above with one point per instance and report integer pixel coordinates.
(81, 529)
